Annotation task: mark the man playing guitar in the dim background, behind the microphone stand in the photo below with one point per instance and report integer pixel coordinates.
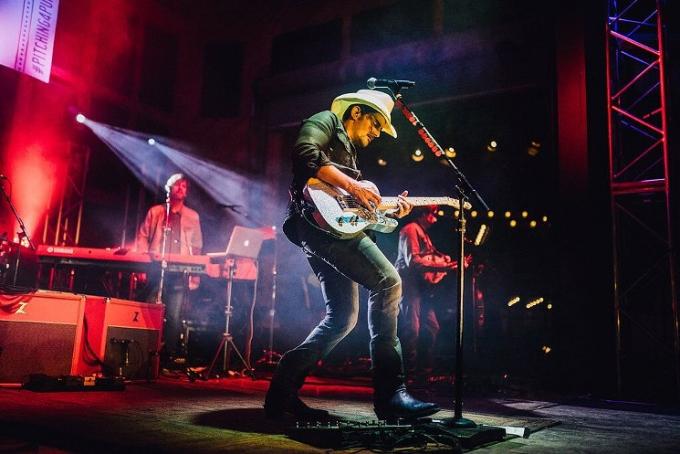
(421, 267)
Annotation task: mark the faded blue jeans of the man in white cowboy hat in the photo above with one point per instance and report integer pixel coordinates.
(341, 266)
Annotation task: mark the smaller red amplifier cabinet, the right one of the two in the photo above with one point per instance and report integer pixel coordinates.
(126, 335)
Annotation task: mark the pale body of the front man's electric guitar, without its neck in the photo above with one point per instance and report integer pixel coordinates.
(337, 213)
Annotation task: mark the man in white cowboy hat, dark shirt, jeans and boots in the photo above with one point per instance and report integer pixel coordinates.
(326, 149)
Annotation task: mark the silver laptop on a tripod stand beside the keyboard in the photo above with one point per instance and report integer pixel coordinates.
(243, 243)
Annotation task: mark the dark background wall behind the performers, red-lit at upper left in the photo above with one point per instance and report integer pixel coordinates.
(235, 80)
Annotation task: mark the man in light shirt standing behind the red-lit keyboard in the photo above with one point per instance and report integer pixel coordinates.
(184, 237)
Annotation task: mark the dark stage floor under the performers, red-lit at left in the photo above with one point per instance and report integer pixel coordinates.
(176, 415)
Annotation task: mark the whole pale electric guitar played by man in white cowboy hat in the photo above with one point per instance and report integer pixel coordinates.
(339, 214)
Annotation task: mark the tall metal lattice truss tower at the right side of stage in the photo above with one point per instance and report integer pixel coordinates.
(646, 309)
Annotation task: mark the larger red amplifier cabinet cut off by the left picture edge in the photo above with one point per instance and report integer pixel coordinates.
(40, 333)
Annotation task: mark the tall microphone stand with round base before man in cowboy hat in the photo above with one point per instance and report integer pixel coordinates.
(465, 192)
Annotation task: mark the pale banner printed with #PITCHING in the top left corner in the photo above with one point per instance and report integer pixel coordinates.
(27, 30)
